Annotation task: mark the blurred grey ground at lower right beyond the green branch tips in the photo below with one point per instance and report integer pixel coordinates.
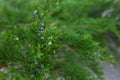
(112, 71)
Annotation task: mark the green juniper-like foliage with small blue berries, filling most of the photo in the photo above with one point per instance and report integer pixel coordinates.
(32, 47)
